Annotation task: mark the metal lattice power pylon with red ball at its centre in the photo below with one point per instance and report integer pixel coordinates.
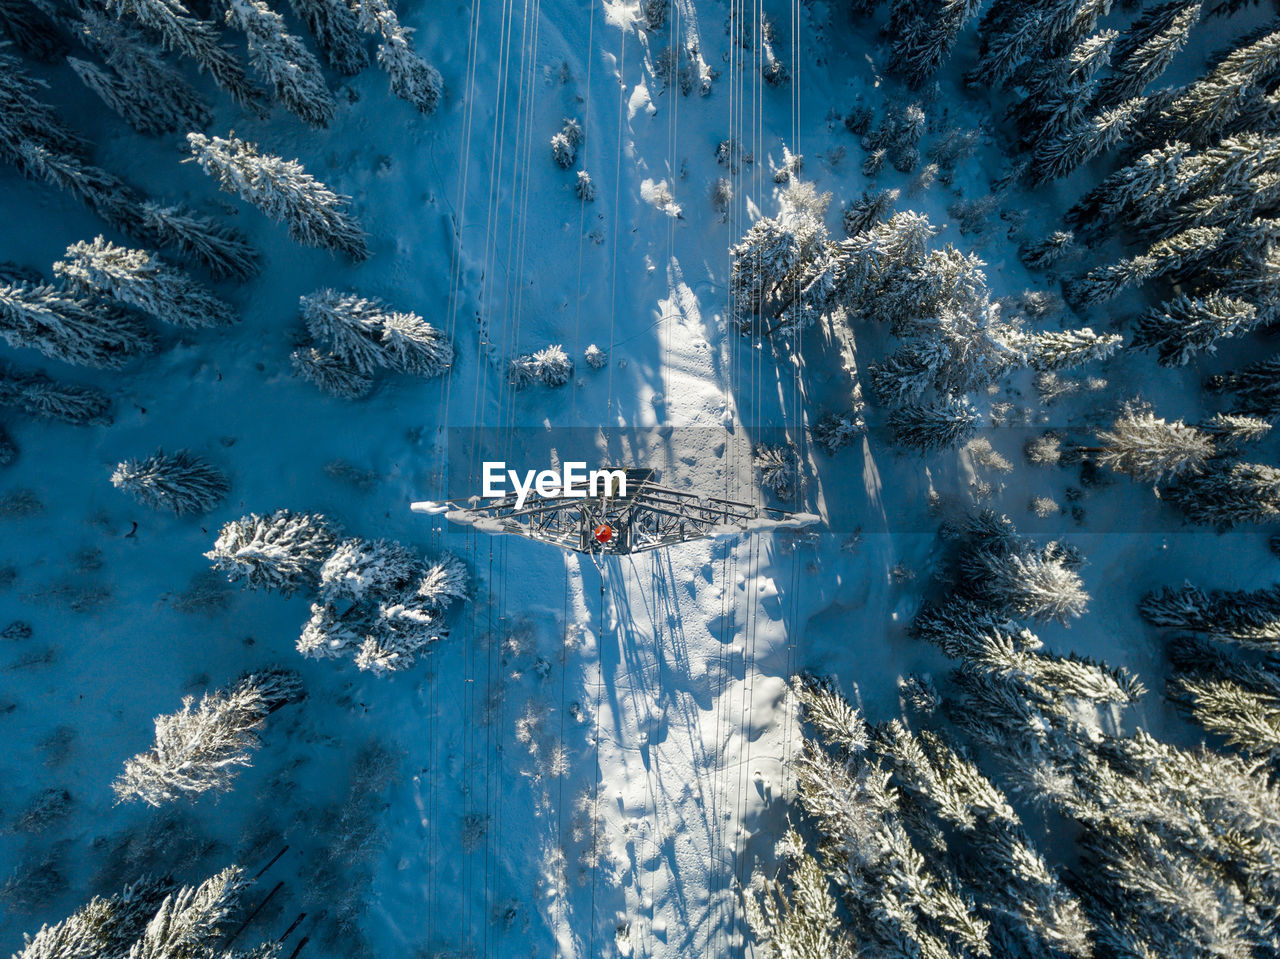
(650, 517)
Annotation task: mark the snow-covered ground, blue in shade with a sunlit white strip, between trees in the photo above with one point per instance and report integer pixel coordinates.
(593, 762)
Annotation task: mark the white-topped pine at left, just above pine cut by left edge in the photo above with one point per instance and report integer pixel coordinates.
(138, 278)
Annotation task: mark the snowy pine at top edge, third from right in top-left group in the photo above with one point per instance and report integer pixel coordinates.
(284, 62)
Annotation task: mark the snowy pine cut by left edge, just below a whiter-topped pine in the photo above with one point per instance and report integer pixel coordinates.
(70, 328)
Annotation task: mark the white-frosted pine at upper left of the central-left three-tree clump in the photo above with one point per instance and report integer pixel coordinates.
(282, 551)
